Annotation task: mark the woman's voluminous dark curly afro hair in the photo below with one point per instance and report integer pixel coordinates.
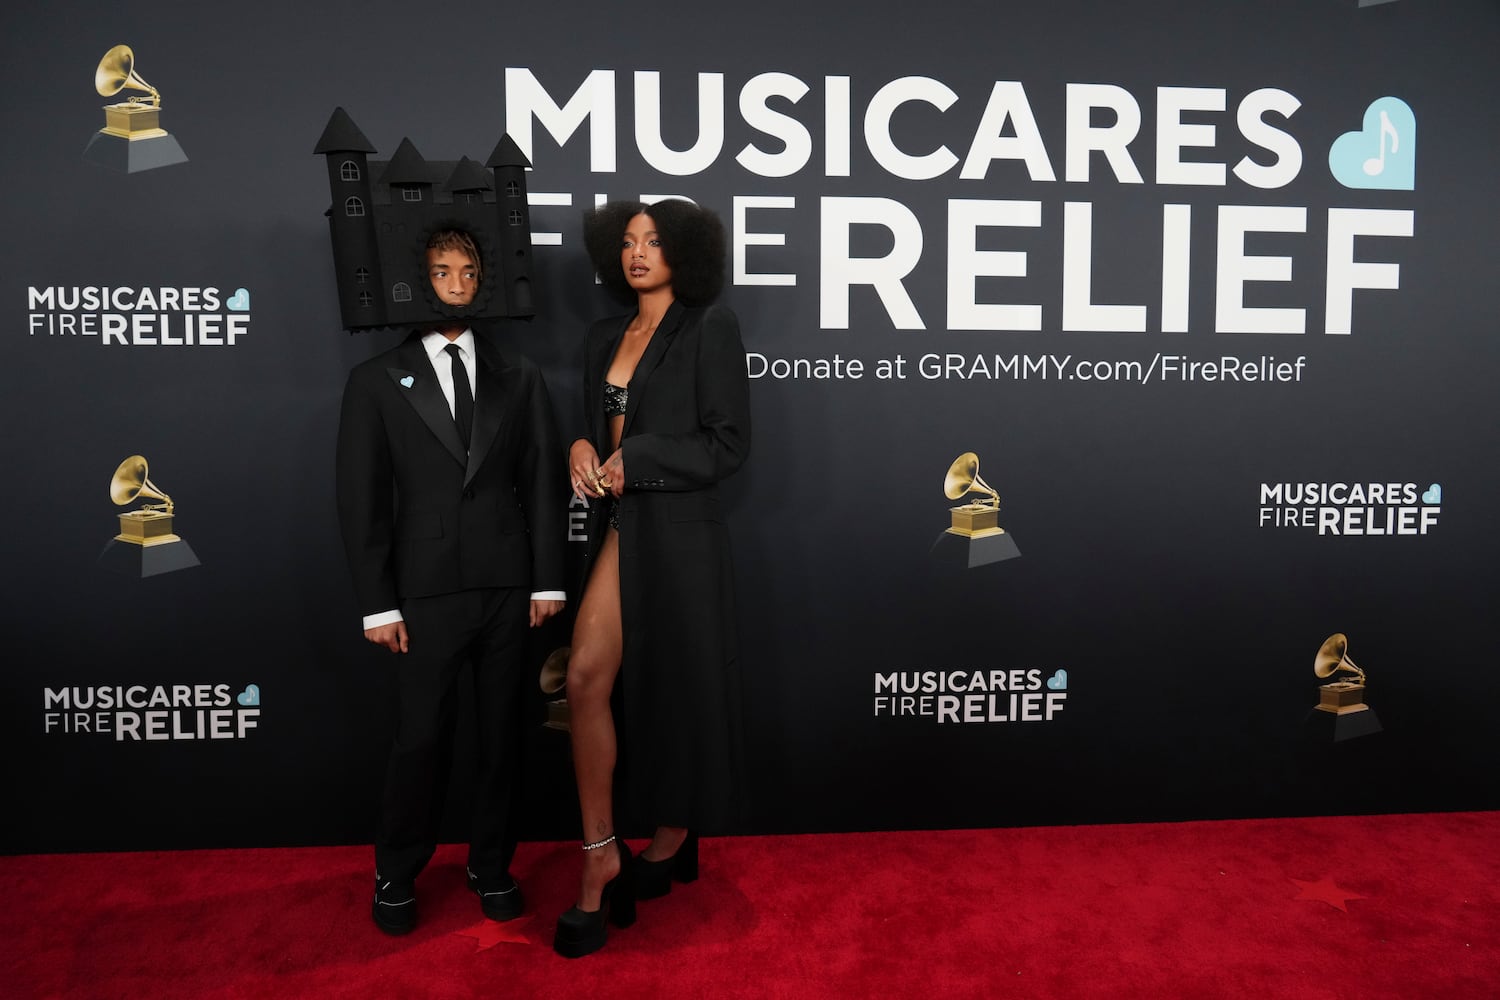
(692, 244)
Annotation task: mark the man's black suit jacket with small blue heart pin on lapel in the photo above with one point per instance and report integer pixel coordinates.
(419, 516)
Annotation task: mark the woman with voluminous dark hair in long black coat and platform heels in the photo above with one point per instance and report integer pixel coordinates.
(653, 680)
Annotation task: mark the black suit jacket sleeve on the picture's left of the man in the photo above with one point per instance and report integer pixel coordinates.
(365, 499)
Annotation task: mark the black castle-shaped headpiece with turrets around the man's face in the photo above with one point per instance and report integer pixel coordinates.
(385, 211)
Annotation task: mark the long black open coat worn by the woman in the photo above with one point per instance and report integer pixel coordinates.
(688, 428)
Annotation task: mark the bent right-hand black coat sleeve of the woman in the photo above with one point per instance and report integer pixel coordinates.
(719, 446)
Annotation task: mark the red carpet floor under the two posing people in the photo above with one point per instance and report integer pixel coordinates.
(1391, 906)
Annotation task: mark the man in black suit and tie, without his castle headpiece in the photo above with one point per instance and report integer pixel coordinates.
(449, 475)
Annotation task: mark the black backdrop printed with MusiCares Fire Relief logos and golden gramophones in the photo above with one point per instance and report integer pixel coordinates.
(1123, 382)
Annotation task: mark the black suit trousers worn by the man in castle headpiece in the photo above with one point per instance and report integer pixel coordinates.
(487, 630)
